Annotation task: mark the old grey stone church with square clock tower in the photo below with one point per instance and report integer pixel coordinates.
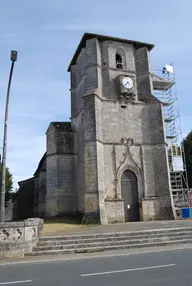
(110, 162)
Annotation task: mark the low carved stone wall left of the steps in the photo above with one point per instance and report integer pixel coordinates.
(17, 238)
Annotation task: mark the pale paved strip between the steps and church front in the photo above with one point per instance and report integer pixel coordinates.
(131, 226)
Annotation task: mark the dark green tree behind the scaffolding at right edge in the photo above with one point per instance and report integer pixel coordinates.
(187, 144)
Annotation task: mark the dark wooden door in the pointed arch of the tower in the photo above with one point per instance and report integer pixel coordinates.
(129, 191)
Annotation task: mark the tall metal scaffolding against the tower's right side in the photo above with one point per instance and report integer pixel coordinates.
(164, 88)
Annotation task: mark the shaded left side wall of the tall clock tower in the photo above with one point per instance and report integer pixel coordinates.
(84, 76)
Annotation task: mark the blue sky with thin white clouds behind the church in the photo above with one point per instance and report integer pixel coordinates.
(46, 33)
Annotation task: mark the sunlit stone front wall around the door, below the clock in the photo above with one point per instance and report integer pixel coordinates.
(142, 123)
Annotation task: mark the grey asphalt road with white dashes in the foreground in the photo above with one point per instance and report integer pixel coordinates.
(155, 268)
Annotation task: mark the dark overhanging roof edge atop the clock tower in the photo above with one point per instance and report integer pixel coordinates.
(101, 38)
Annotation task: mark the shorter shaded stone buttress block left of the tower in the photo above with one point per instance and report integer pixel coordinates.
(61, 195)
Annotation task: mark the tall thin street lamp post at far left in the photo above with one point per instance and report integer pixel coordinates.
(2, 211)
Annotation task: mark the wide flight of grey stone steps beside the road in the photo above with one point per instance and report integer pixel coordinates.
(84, 243)
